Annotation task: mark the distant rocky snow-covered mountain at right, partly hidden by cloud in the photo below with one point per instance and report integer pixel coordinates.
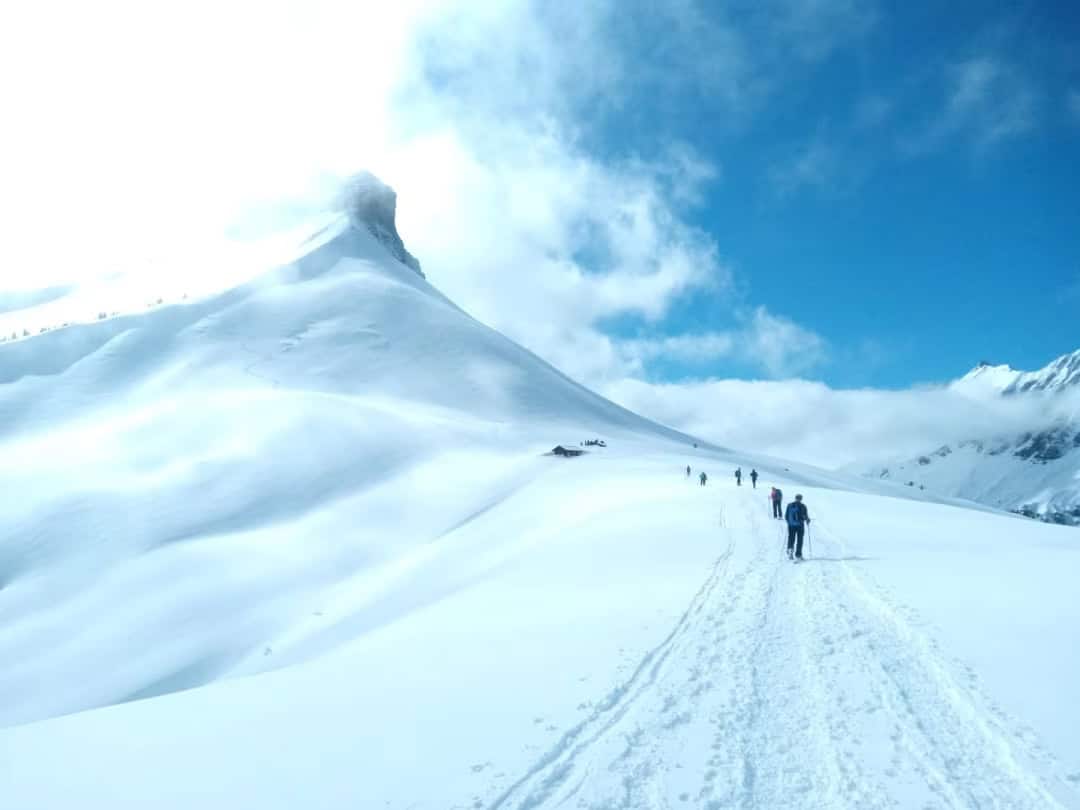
(1035, 472)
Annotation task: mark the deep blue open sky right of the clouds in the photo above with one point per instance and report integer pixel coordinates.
(901, 180)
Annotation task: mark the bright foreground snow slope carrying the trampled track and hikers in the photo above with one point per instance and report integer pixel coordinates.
(610, 634)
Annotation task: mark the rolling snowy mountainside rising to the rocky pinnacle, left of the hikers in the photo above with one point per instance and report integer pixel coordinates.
(208, 466)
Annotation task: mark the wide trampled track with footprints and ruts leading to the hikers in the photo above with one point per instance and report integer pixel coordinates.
(791, 686)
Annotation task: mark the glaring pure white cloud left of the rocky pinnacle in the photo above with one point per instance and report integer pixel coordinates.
(140, 130)
